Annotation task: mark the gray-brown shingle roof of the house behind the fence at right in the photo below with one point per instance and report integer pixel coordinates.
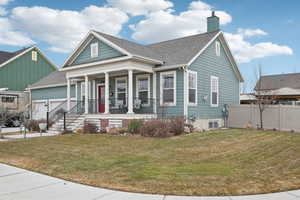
(278, 81)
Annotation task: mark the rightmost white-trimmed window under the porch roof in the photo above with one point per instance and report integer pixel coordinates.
(143, 88)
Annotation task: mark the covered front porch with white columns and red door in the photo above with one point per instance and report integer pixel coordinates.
(126, 91)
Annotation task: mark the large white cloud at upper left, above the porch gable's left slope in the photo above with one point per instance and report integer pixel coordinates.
(63, 29)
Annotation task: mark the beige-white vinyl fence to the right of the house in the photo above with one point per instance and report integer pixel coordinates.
(279, 117)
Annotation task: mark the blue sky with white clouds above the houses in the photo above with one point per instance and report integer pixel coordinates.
(264, 33)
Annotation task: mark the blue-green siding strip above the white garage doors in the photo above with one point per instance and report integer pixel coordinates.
(51, 93)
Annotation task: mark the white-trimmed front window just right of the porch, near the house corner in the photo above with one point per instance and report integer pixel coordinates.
(168, 88)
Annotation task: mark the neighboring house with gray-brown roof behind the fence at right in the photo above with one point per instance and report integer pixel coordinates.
(282, 88)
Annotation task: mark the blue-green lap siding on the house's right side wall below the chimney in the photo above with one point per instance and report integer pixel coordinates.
(207, 65)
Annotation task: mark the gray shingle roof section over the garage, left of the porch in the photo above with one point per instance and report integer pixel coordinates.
(54, 78)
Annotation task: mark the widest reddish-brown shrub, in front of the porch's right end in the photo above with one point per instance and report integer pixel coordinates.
(156, 128)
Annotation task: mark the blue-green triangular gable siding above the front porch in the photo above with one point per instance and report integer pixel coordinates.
(104, 52)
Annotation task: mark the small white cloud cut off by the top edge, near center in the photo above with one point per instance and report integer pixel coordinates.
(140, 7)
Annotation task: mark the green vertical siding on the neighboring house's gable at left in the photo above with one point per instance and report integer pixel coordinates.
(23, 71)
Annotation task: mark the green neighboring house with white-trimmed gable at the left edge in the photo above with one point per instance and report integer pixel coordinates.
(18, 70)
